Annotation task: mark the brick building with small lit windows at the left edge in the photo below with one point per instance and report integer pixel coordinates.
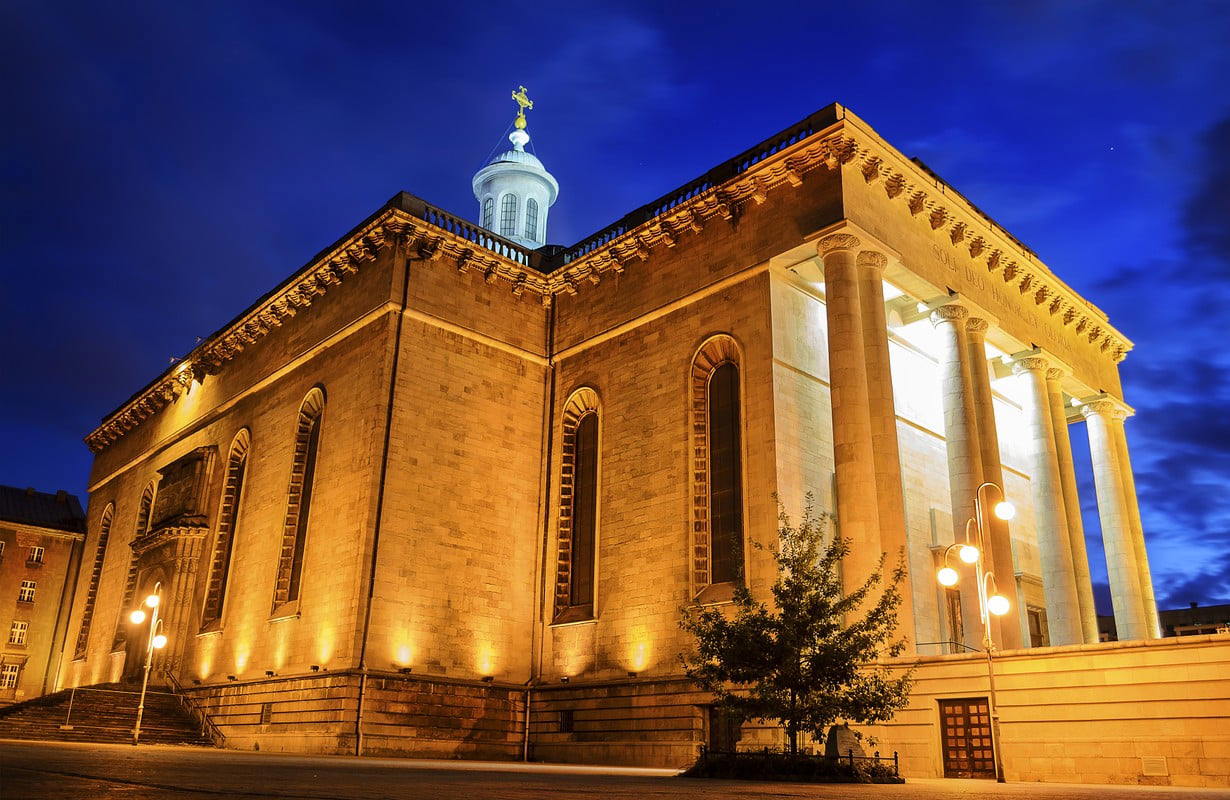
(41, 538)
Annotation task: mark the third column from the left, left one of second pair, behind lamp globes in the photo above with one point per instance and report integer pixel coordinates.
(961, 440)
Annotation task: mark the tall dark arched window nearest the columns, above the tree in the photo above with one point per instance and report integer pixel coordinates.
(718, 466)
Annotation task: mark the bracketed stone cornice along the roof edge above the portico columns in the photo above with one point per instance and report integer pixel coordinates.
(983, 241)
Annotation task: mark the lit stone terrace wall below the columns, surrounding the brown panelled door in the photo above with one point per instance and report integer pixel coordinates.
(1152, 712)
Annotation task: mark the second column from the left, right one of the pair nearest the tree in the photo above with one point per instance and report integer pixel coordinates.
(886, 454)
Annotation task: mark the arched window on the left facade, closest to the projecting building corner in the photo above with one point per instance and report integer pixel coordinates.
(303, 473)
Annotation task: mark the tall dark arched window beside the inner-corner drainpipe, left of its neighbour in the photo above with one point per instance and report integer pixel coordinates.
(579, 509)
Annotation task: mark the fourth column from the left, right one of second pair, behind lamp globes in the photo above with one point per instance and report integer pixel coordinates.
(1007, 631)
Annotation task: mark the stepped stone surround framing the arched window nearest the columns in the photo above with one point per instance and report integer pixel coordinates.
(718, 351)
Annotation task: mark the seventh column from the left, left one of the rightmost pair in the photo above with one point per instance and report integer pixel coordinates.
(1131, 620)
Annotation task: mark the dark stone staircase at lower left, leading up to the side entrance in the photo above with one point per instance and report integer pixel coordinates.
(103, 713)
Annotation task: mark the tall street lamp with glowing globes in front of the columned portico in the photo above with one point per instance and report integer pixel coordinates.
(988, 602)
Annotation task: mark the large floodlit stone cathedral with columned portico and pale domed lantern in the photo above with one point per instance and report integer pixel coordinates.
(446, 490)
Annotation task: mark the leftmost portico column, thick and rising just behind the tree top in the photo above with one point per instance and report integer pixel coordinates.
(853, 456)
